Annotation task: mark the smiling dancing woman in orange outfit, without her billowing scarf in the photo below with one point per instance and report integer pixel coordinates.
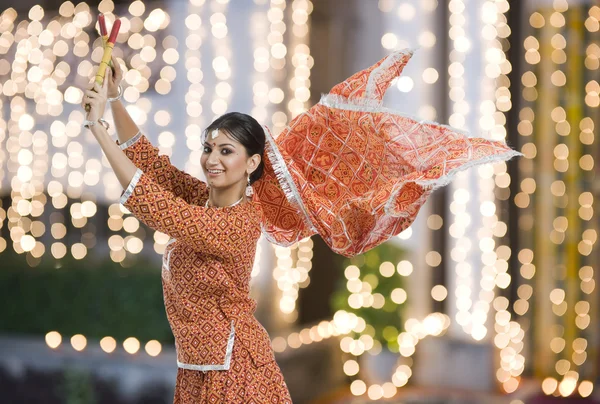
(224, 355)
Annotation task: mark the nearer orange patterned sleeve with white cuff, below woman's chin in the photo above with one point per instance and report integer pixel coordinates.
(207, 229)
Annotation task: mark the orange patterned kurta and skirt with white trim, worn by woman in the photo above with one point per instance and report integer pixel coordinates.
(223, 353)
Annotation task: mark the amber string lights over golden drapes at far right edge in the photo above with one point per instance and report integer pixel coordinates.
(557, 187)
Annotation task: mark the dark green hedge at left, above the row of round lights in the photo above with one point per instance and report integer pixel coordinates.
(94, 297)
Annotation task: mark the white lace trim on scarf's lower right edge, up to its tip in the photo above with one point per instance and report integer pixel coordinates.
(433, 184)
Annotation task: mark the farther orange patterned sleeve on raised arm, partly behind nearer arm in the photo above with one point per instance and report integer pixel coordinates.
(158, 167)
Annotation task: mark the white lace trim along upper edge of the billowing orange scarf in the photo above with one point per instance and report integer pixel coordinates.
(369, 105)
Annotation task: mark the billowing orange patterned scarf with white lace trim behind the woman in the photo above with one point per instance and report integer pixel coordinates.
(357, 173)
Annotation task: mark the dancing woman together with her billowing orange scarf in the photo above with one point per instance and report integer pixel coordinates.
(348, 169)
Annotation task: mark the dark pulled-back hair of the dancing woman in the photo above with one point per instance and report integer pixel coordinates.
(246, 130)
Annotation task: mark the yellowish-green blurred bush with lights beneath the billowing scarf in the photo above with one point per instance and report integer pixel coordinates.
(387, 321)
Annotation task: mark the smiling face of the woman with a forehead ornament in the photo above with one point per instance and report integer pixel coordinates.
(225, 161)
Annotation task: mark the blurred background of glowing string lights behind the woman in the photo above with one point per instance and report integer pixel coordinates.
(489, 297)
